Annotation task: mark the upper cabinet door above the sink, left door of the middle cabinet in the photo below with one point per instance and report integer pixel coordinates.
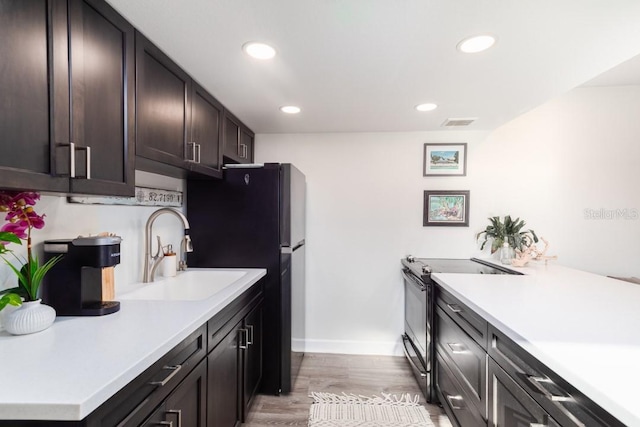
(163, 92)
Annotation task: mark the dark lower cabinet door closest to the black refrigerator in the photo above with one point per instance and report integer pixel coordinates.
(252, 358)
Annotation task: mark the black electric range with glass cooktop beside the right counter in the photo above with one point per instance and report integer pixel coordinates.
(419, 310)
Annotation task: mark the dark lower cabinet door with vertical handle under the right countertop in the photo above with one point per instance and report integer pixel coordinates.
(511, 405)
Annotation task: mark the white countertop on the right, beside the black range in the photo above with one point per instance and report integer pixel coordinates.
(583, 326)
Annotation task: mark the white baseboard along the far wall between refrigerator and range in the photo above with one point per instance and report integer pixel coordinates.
(378, 348)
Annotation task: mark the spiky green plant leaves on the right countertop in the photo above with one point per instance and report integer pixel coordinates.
(510, 231)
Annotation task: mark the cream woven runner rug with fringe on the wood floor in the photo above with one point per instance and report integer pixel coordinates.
(349, 410)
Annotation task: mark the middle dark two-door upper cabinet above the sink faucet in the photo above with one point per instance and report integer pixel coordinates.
(178, 122)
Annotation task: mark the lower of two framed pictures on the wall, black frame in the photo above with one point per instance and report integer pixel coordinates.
(446, 208)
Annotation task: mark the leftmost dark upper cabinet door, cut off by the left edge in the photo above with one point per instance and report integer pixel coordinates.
(29, 30)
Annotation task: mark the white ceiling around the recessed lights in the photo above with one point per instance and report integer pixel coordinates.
(362, 65)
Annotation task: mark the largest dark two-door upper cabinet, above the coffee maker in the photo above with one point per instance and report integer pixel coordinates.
(66, 113)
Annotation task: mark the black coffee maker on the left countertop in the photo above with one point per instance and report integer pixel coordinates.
(82, 282)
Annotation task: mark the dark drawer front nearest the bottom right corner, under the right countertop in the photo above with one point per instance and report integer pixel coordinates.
(565, 403)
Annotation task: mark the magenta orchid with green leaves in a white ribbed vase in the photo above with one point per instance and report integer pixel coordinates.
(21, 219)
